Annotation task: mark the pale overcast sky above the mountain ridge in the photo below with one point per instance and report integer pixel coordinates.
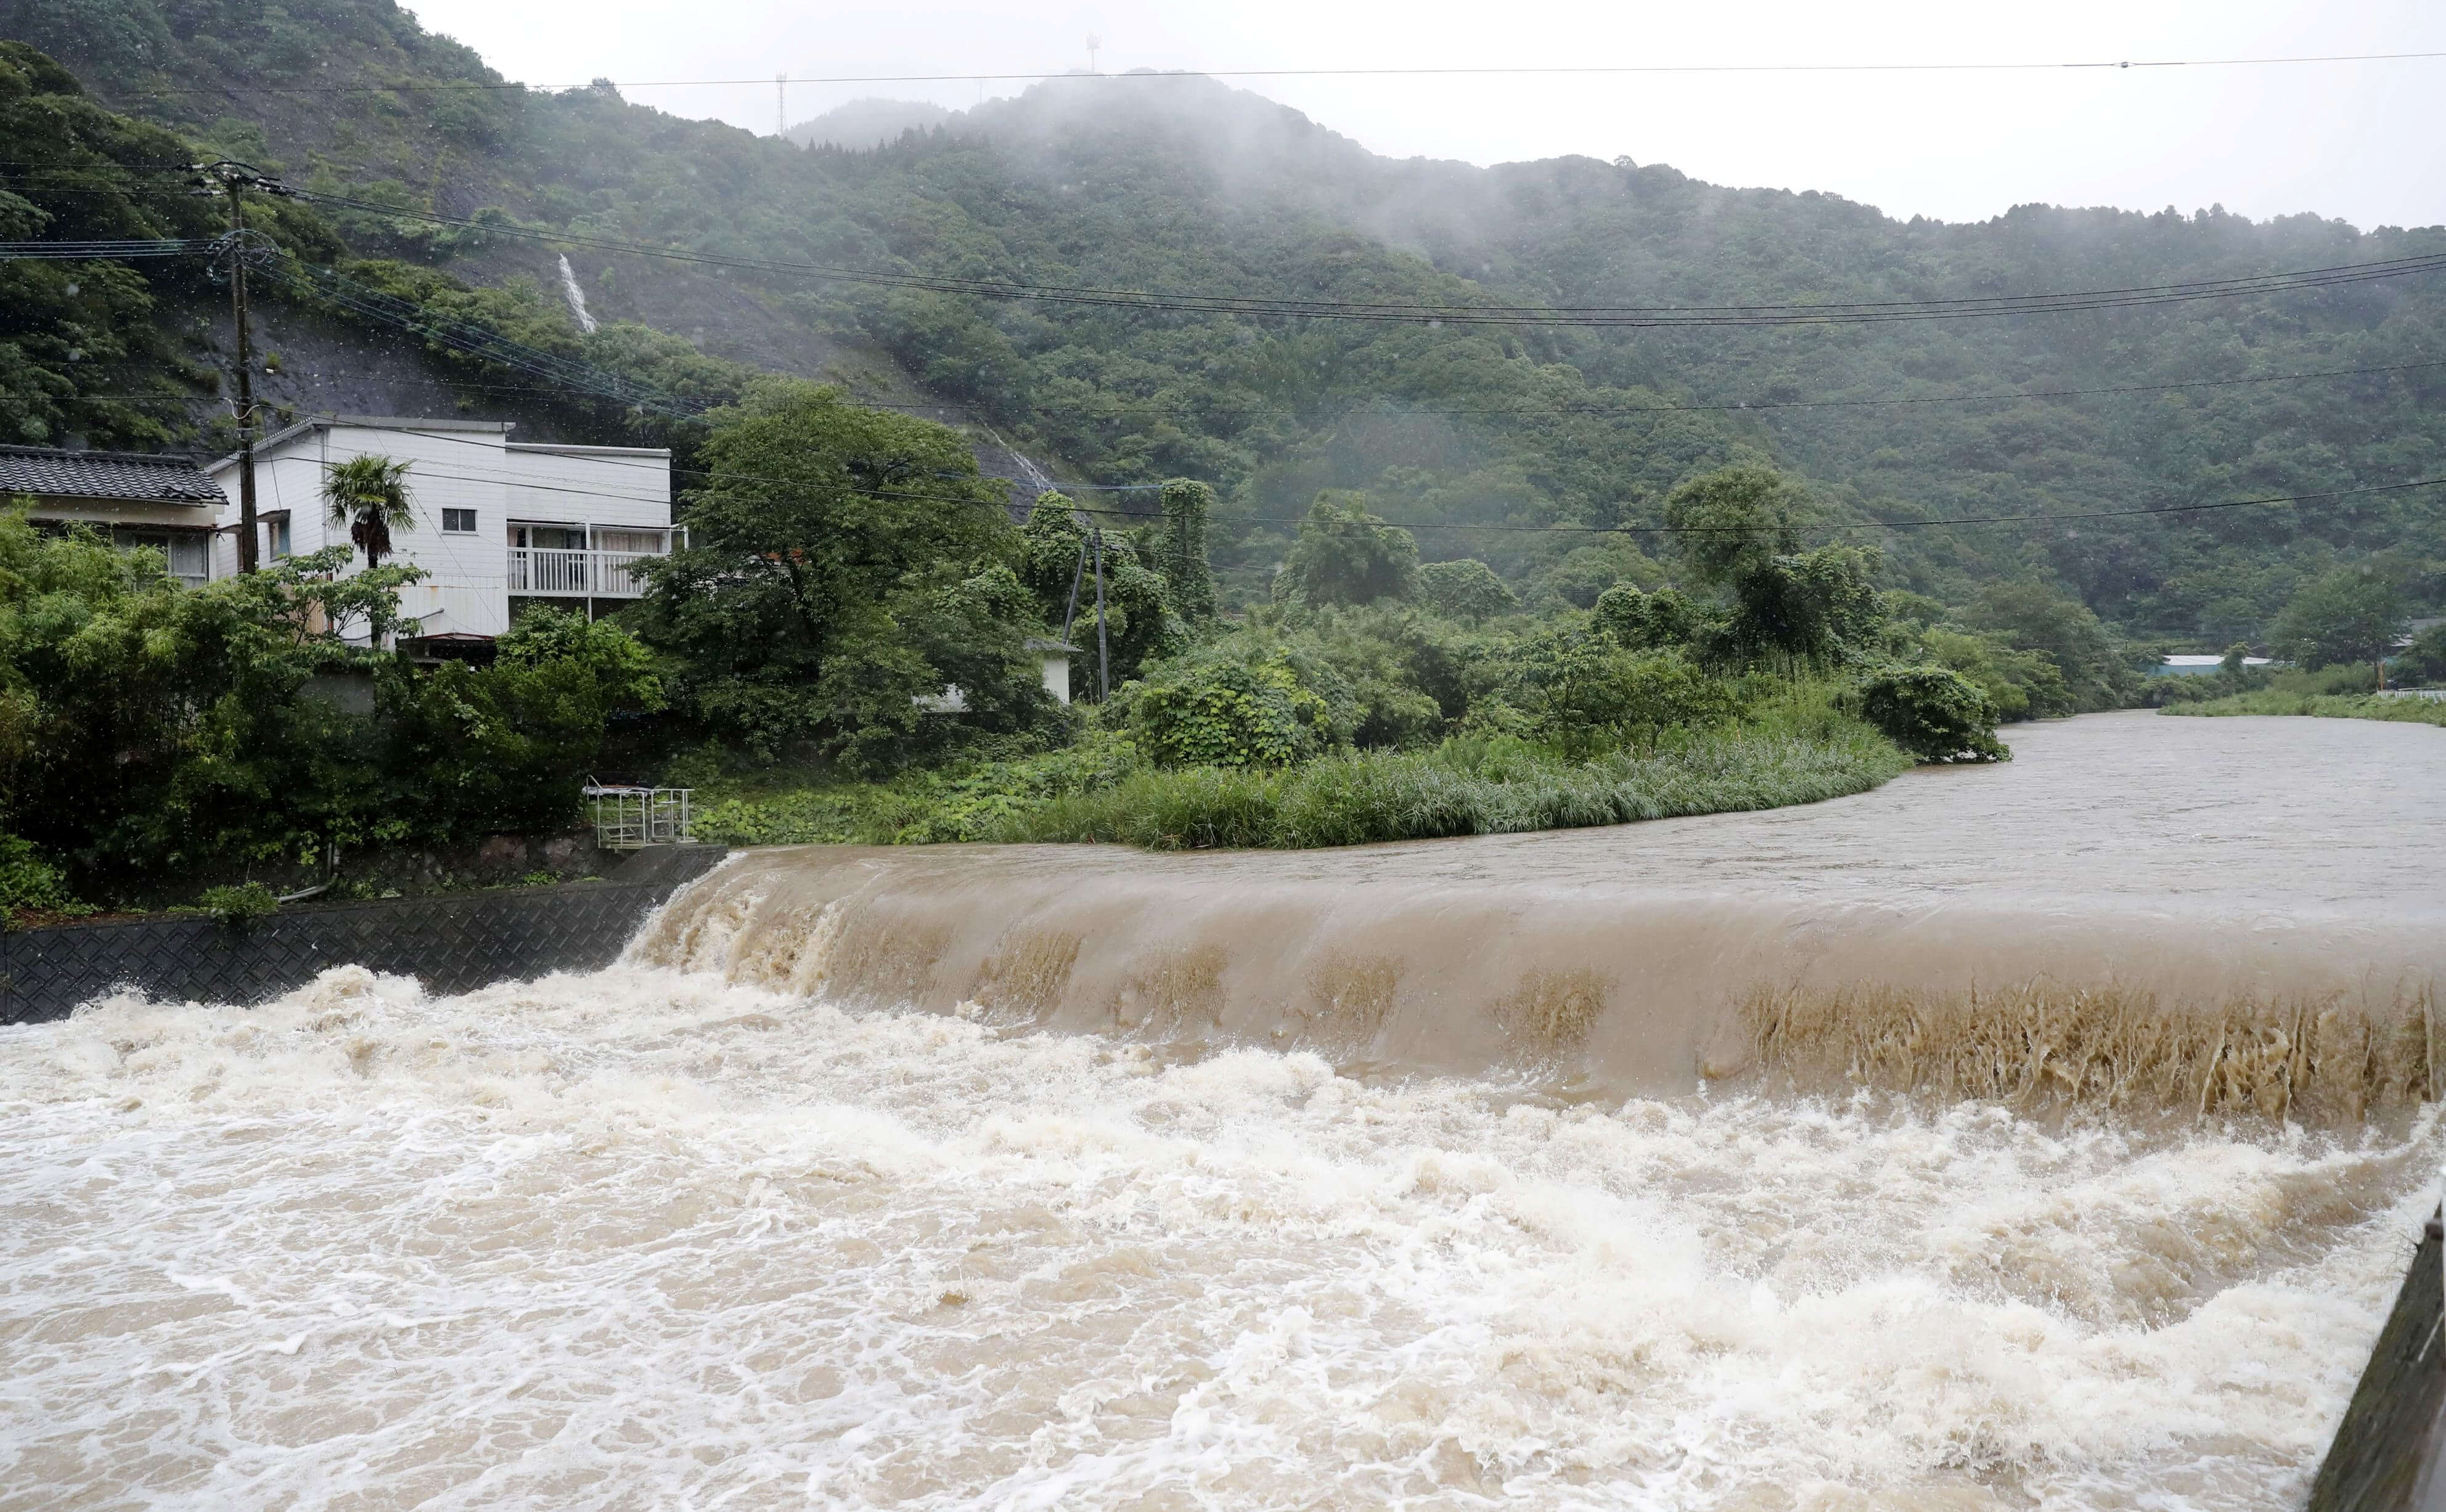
(2347, 141)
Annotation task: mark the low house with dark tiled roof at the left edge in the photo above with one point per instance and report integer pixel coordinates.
(136, 500)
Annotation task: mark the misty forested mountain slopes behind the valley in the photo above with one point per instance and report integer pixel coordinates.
(1180, 185)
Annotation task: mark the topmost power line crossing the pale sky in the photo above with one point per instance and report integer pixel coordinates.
(1381, 72)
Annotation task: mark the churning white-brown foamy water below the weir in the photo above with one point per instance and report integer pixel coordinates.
(657, 1239)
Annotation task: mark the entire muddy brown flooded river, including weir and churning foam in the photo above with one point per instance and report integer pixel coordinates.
(2029, 1136)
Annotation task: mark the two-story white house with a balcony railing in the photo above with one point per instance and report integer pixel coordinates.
(500, 522)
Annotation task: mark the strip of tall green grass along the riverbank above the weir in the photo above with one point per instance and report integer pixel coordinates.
(1797, 750)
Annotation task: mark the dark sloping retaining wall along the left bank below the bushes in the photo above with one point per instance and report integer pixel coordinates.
(451, 943)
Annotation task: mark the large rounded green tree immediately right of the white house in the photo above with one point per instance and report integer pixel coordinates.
(821, 593)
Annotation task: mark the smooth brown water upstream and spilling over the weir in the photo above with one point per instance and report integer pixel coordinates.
(1970, 933)
